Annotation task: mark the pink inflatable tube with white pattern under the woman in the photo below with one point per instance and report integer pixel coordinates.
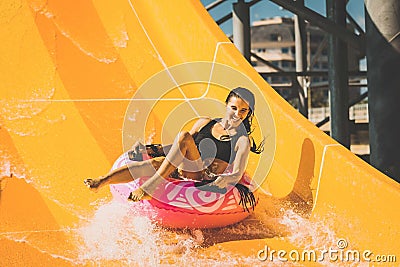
(179, 204)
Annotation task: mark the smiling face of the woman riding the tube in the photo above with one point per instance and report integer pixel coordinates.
(236, 111)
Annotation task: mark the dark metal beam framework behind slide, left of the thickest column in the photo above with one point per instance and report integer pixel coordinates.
(338, 38)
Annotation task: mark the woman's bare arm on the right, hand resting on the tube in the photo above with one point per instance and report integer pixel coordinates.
(239, 164)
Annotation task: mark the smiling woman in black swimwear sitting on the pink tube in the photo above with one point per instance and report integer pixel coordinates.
(202, 154)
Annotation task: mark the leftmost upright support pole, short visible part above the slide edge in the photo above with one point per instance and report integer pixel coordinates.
(241, 27)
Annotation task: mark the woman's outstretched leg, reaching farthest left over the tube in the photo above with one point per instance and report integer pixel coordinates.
(126, 174)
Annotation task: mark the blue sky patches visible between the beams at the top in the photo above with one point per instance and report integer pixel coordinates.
(267, 9)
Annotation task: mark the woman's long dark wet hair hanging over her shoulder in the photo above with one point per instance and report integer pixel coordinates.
(246, 95)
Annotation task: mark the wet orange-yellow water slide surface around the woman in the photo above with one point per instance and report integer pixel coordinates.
(80, 81)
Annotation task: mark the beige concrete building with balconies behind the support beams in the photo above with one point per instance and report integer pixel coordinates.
(273, 40)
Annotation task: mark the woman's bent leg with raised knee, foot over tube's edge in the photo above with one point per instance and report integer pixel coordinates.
(183, 153)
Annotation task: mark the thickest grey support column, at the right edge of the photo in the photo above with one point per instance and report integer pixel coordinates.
(383, 58)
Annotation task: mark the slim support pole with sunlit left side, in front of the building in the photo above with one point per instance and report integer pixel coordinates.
(301, 60)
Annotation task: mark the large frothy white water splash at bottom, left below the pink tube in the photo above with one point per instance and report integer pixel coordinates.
(116, 233)
